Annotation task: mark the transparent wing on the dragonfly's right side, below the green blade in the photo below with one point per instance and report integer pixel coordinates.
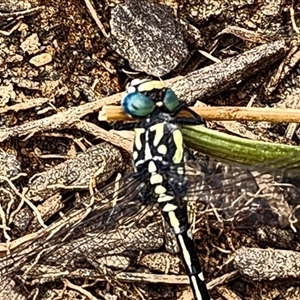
(246, 197)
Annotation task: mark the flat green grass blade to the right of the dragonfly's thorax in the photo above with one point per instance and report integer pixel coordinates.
(236, 150)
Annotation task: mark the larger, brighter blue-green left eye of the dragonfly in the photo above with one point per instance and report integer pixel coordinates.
(137, 104)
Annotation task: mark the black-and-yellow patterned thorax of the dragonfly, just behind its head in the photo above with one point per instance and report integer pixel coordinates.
(158, 154)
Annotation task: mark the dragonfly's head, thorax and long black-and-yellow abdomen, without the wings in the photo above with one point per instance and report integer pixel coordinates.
(160, 156)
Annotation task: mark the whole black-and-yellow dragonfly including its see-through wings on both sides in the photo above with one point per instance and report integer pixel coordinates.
(168, 176)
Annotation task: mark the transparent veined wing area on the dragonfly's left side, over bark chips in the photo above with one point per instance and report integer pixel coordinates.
(104, 226)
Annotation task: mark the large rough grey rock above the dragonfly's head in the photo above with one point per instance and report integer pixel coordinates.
(148, 36)
